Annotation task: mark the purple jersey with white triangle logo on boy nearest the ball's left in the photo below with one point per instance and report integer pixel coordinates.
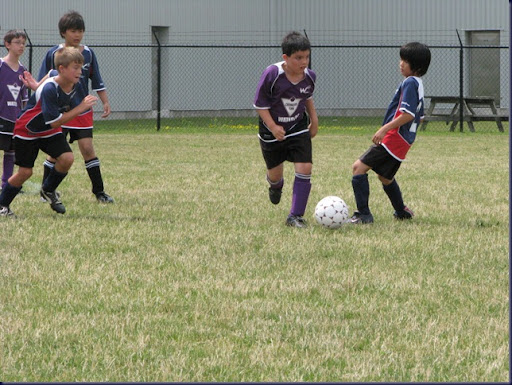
(285, 100)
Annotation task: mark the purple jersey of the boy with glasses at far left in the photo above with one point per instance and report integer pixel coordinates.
(13, 92)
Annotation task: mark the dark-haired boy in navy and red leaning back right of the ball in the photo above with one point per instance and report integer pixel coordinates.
(393, 140)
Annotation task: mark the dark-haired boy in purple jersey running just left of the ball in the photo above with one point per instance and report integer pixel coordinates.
(284, 100)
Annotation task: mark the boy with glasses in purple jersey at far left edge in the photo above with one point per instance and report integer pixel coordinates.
(13, 96)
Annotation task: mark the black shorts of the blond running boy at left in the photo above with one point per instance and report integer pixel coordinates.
(27, 150)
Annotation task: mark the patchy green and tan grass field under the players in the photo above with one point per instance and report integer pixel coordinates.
(192, 275)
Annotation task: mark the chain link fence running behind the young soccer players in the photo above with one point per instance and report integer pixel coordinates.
(163, 85)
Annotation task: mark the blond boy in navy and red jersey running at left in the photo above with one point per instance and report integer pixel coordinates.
(57, 101)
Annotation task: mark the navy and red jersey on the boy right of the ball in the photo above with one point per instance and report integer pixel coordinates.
(408, 99)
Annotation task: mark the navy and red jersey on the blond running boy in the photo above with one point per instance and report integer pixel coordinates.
(45, 107)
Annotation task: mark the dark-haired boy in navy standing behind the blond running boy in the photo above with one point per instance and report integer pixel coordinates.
(72, 28)
